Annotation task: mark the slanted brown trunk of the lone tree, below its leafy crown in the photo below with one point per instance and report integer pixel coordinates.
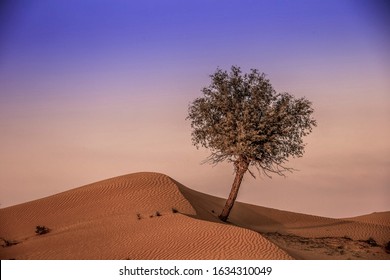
(241, 167)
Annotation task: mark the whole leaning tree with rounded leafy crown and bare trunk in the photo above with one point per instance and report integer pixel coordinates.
(242, 120)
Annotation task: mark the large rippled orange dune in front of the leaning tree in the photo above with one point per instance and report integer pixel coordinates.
(127, 217)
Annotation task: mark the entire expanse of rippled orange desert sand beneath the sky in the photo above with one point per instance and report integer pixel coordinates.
(151, 216)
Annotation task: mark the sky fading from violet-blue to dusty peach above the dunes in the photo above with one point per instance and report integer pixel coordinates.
(91, 90)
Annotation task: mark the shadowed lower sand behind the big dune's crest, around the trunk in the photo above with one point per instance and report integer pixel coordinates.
(305, 236)
